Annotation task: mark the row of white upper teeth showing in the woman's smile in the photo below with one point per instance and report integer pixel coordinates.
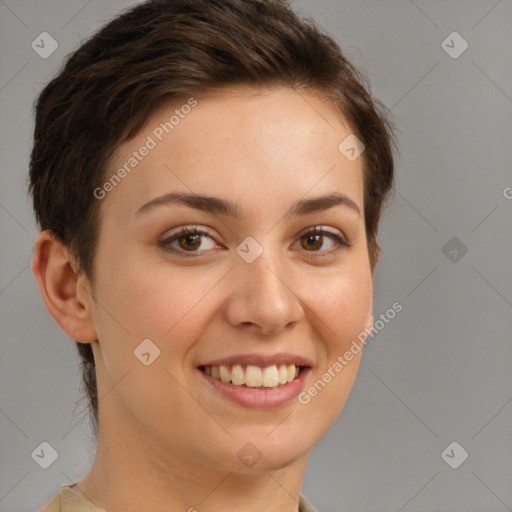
(254, 376)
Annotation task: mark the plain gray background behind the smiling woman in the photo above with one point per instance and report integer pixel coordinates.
(438, 372)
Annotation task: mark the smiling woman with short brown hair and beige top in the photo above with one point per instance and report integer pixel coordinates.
(208, 177)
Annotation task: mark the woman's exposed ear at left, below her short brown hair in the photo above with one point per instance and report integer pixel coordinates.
(67, 297)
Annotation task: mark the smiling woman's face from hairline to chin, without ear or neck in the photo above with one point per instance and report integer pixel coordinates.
(266, 285)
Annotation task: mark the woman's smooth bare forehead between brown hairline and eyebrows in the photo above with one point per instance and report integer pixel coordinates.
(237, 141)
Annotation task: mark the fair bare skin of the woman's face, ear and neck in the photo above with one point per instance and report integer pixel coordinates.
(168, 442)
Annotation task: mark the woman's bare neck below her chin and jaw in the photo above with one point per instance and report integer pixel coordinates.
(128, 475)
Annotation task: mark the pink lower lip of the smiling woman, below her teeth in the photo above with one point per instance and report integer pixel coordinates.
(259, 398)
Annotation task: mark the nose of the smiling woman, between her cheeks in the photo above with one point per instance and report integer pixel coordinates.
(264, 296)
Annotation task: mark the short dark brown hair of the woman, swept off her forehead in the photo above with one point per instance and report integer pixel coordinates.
(161, 49)
